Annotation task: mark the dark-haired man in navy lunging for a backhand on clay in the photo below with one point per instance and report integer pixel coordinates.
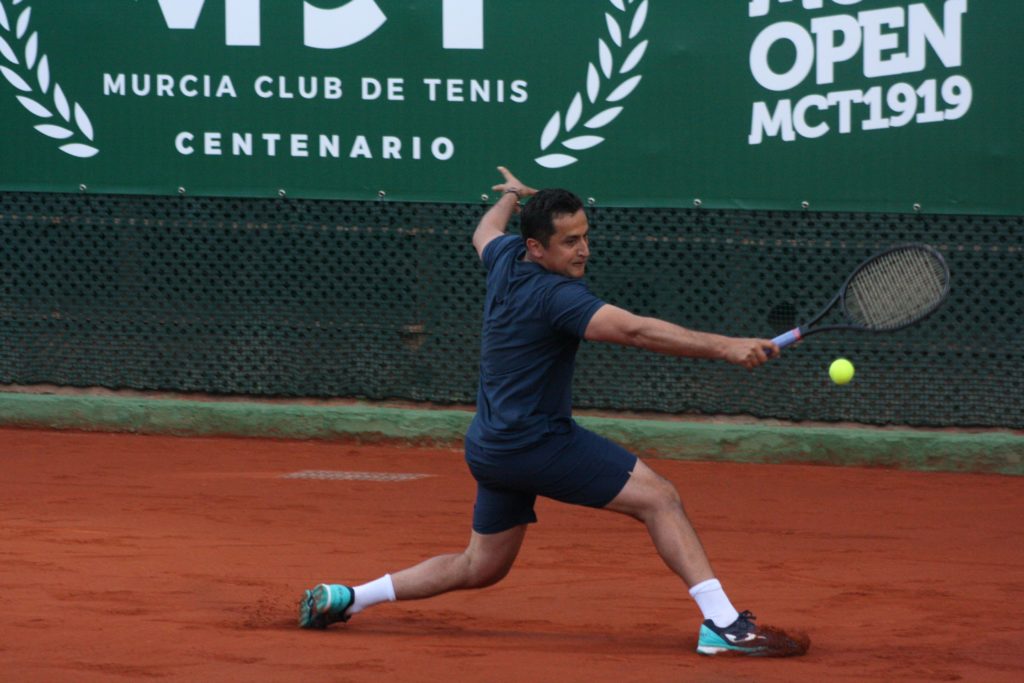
(524, 443)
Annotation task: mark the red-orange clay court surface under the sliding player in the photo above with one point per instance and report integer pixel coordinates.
(127, 558)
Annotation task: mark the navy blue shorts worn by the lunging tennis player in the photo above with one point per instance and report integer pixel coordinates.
(578, 467)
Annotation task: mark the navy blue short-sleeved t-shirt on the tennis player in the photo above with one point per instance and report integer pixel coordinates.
(533, 323)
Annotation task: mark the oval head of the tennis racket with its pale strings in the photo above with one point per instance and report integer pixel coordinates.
(897, 289)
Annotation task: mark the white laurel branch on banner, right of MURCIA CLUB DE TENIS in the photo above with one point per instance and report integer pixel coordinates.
(561, 127)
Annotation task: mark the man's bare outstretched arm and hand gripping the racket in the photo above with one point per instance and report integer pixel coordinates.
(618, 326)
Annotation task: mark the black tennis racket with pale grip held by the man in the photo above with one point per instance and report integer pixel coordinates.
(895, 288)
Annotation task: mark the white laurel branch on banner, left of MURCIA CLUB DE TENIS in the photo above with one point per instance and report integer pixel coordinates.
(36, 70)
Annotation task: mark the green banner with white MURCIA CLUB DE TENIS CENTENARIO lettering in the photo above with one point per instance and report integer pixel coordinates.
(832, 105)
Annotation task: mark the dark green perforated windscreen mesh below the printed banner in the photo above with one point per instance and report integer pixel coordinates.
(381, 301)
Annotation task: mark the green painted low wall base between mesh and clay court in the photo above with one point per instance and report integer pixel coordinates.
(934, 451)
